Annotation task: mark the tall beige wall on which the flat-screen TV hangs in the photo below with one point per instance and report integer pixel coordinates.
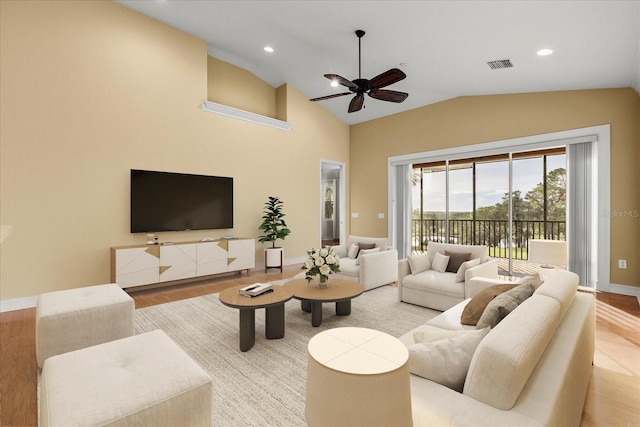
(93, 89)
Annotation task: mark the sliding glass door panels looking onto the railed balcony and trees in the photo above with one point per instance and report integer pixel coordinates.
(501, 201)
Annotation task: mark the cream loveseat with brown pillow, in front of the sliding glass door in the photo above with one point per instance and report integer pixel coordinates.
(419, 284)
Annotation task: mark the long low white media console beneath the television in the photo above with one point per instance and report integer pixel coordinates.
(151, 264)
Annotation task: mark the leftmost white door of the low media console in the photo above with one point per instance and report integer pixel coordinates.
(136, 266)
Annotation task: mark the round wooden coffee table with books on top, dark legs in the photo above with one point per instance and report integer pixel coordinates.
(273, 303)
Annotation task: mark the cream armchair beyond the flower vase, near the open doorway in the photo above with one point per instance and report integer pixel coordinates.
(373, 267)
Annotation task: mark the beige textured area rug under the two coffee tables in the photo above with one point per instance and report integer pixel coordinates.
(266, 385)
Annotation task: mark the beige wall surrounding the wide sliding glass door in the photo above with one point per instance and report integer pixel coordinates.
(472, 120)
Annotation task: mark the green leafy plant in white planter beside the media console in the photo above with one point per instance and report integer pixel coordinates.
(274, 227)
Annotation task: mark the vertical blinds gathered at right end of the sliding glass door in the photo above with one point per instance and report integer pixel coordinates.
(581, 218)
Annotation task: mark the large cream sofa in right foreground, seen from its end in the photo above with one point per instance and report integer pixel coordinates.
(532, 369)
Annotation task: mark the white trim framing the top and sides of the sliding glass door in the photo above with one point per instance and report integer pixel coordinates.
(599, 135)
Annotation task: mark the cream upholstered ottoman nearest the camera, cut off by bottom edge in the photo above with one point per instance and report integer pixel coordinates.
(143, 380)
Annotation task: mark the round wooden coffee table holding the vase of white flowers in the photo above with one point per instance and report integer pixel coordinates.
(311, 297)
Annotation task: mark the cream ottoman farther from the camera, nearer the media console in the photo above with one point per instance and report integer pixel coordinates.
(78, 318)
